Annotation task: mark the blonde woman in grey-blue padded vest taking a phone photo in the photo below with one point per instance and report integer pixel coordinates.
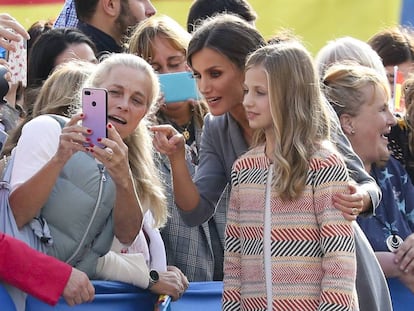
(89, 195)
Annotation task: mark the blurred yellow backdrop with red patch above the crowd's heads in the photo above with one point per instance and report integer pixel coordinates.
(315, 21)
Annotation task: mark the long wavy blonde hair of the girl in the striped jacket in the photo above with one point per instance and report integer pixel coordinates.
(300, 119)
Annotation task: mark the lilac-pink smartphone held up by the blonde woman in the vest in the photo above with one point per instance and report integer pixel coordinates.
(94, 107)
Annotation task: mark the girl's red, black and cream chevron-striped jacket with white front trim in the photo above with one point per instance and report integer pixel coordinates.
(312, 250)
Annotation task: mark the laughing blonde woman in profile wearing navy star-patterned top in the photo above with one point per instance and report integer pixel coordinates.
(360, 96)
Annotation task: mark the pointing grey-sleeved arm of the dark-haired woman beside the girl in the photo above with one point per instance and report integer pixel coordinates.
(198, 199)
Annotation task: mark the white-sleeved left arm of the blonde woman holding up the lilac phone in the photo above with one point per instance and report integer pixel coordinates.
(42, 151)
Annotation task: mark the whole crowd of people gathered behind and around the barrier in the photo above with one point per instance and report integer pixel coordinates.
(289, 179)
